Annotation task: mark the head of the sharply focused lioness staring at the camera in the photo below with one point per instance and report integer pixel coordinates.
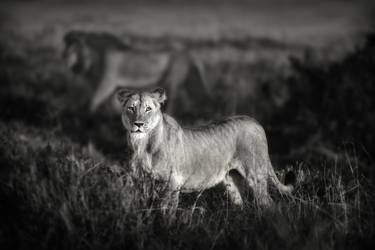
(141, 110)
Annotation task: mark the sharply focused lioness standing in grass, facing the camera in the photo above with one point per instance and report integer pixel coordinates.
(194, 159)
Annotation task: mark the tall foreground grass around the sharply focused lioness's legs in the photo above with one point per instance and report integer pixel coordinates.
(56, 196)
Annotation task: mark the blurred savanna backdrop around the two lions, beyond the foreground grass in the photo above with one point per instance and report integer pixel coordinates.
(304, 69)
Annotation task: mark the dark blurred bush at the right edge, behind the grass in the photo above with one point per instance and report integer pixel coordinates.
(332, 103)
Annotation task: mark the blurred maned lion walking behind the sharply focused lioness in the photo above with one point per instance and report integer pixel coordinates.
(108, 63)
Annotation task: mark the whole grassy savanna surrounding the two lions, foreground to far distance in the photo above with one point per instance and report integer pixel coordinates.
(306, 73)
